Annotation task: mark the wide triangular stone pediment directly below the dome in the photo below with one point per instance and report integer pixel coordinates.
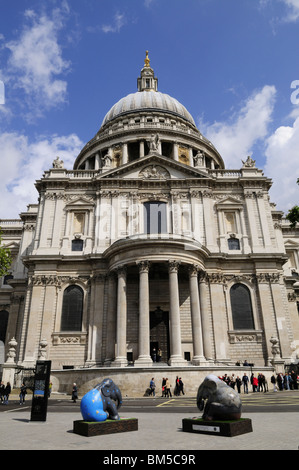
(154, 167)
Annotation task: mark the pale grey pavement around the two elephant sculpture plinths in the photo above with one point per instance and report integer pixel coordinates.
(157, 432)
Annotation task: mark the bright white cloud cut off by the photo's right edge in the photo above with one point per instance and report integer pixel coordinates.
(282, 152)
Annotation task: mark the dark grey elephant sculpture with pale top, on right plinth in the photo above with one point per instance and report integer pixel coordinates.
(218, 400)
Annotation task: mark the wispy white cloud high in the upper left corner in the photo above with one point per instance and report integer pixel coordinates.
(36, 61)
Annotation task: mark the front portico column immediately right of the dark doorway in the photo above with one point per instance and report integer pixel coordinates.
(175, 326)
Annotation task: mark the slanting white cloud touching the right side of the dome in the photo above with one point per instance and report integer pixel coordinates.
(235, 139)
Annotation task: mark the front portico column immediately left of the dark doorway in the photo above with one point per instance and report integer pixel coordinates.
(144, 358)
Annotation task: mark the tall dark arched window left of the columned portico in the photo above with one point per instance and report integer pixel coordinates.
(72, 309)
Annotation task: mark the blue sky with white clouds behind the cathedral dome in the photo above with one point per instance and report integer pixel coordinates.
(234, 65)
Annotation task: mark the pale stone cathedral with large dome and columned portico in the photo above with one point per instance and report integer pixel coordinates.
(150, 251)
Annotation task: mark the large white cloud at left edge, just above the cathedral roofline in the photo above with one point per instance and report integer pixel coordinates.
(23, 162)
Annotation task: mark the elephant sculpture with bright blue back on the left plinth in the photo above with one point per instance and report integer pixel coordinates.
(102, 402)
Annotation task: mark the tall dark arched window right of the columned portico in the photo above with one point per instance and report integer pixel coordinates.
(241, 307)
